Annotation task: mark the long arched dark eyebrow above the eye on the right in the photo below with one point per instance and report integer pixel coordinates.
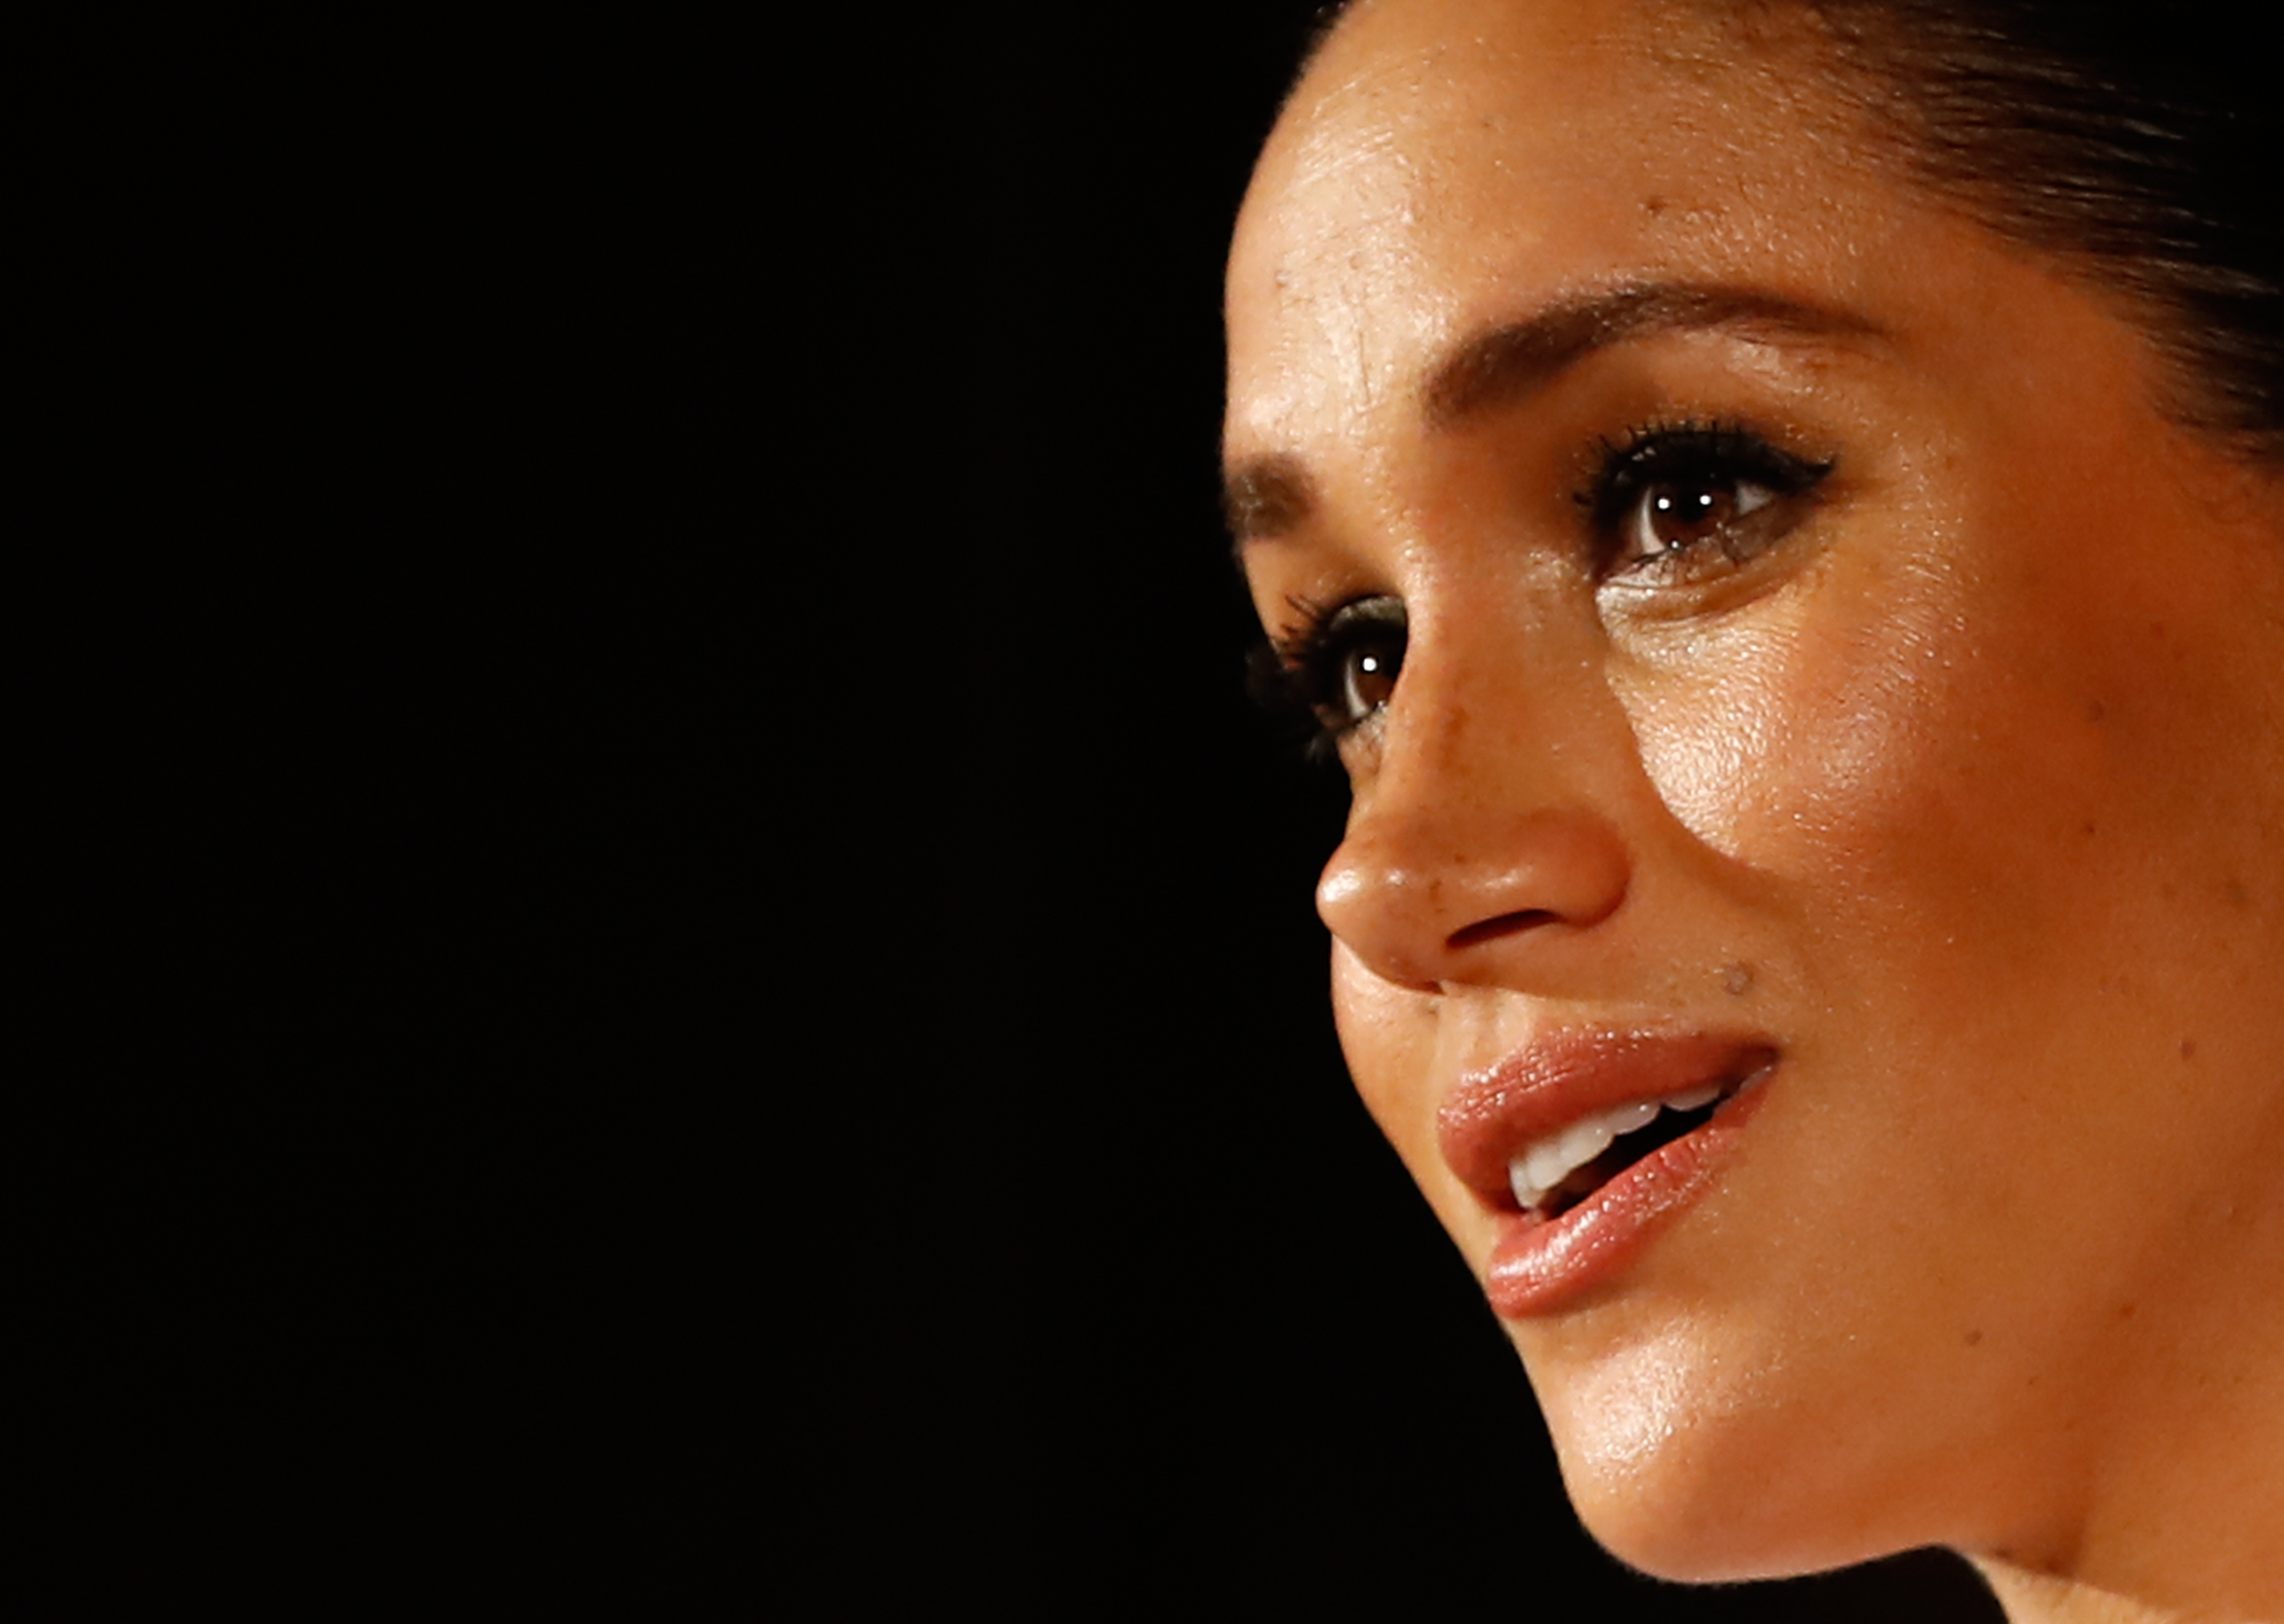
(1515, 360)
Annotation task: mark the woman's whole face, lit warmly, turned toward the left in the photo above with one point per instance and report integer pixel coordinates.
(1778, 650)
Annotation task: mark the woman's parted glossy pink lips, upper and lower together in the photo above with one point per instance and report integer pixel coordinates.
(1586, 1143)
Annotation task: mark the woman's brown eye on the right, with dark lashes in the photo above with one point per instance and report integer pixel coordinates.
(1680, 504)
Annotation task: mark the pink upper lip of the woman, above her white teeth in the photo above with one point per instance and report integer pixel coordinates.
(1561, 1077)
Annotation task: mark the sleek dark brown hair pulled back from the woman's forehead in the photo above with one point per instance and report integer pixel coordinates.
(2141, 145)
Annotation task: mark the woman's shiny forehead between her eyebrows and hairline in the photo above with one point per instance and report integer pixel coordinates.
(1449, 166)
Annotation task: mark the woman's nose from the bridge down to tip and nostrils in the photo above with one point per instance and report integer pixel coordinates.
(1488, 828)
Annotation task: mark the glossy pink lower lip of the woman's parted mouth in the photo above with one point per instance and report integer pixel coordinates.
(1547, 1264)
